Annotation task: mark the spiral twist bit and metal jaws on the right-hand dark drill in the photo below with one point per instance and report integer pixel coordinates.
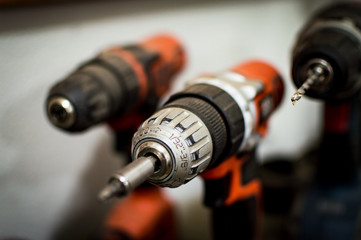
(317, 74)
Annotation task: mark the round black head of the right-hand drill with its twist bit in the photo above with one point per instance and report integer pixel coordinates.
(330, 41)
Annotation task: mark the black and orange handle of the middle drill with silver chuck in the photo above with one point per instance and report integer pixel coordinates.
(233, 191)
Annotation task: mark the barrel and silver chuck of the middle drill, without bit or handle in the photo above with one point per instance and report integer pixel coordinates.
(214, 118)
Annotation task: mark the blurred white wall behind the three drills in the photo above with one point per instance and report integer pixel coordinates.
(49, 179)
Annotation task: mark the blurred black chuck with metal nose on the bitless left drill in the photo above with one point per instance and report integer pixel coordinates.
(82, 100)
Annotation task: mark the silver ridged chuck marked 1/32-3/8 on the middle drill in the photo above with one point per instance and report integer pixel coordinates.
(181, 142)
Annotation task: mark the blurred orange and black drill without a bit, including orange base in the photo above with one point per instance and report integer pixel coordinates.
(122, 86)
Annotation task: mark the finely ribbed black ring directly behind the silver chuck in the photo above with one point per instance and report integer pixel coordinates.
(211, 118)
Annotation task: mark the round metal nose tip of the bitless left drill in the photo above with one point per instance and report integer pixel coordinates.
(61, 112)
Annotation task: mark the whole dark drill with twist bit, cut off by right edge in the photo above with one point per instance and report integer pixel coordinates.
(326, 64)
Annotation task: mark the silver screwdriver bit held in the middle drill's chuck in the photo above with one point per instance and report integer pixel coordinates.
(128, 178)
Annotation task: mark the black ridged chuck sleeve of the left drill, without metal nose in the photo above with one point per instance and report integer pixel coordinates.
(90, 96)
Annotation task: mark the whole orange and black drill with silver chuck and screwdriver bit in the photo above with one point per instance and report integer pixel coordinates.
(209, 128)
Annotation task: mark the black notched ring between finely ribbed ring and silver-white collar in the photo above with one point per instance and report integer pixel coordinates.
(227, 108)
